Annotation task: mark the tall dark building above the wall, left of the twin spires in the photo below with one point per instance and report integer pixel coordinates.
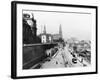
(30, 30)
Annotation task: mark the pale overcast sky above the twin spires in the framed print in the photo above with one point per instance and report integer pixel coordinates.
(73, 25)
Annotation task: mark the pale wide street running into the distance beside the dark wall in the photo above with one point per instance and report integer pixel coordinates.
(63, 58)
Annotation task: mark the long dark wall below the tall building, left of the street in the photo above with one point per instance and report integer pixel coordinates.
(32, 54)
